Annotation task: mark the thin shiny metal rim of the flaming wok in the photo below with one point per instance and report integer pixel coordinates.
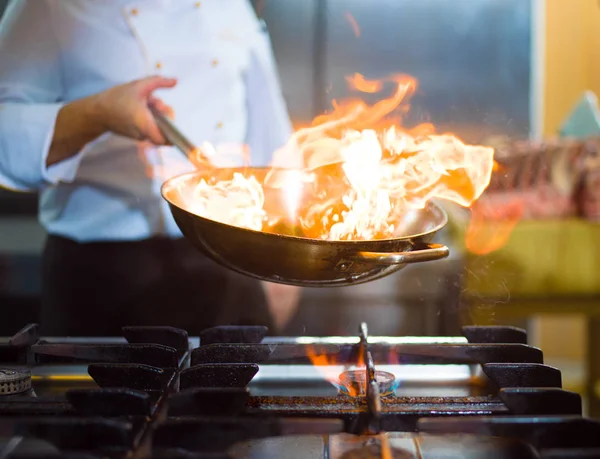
(169, 184)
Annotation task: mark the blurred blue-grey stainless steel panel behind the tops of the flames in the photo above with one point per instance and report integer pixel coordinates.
(481, 47)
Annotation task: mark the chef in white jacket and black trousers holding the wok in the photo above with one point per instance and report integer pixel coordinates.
(76, 78)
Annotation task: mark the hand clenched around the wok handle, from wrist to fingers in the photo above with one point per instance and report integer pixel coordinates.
(124, 109)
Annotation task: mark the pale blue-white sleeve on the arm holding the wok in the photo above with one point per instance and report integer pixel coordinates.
(30, 94)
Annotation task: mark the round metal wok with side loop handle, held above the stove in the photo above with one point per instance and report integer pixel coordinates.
(301, 261)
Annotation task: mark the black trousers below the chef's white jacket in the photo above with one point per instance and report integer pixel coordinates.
(94, 289)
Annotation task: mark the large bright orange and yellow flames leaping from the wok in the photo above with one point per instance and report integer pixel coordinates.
(360, 170)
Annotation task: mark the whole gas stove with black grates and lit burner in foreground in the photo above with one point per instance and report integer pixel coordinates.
(234, 392)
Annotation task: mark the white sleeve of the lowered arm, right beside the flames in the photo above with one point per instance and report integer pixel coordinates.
(269, 126)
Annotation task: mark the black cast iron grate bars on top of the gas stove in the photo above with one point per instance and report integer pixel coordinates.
(154, 397)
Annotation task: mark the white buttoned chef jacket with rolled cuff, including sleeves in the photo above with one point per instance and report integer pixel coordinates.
(56, 51)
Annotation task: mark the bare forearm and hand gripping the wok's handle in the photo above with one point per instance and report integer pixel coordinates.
(121, 109)
